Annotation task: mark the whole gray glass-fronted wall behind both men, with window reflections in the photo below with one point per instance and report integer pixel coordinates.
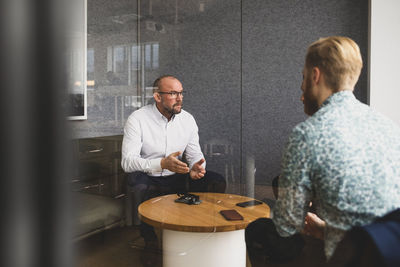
(239, 61)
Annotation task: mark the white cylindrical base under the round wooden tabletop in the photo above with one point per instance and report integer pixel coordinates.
(204, 249)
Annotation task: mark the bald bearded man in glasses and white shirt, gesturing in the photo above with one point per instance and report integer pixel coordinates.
(161, 151)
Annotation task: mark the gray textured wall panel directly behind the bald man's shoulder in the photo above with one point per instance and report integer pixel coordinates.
(203, 50)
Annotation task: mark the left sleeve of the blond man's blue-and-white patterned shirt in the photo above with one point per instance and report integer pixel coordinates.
(295, 191)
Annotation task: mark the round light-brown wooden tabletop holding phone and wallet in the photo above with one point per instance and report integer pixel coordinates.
(163, 212)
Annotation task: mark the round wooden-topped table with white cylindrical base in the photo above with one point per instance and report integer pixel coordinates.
(198, 235)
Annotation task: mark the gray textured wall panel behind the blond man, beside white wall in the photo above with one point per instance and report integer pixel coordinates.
(275, 38)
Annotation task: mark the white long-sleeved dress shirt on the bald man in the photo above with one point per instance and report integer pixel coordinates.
(149, 137)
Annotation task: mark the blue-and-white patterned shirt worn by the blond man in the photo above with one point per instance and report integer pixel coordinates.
(346, 160)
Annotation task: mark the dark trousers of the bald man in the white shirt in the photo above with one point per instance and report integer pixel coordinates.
(147, 187)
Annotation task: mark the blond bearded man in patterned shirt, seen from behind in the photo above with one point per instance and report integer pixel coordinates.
(345, 159)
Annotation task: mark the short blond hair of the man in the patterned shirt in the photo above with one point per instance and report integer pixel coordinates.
(338, 58)
